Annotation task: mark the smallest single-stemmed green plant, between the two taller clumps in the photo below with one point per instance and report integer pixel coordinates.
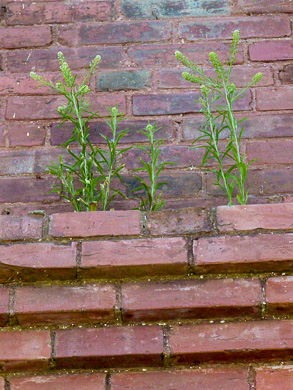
(153, 188)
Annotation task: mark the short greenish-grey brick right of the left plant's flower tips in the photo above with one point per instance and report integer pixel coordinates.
(123, 80)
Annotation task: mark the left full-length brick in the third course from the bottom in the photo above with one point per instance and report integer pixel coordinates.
(61, 304)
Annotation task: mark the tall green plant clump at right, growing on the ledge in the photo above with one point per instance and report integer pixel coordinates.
(218, 96)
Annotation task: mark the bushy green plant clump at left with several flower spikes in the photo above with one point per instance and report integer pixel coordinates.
(88, 180)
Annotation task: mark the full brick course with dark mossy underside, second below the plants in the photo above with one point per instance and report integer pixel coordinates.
(132, 258)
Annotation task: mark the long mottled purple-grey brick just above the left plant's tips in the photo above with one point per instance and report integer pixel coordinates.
(110, 33)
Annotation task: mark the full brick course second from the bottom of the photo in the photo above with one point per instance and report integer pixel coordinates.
(146, 346)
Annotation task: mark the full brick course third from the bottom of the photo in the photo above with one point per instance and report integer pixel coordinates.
(218, 299)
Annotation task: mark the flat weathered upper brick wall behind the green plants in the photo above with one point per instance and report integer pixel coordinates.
(137, 41)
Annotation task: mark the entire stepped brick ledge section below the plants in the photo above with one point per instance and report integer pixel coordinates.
(104, 301)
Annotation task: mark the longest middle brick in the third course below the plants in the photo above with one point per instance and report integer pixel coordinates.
(190, 299)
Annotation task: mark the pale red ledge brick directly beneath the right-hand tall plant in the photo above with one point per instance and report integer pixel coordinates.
(267, 216)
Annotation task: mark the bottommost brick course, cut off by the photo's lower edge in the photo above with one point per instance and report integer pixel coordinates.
(212, 378)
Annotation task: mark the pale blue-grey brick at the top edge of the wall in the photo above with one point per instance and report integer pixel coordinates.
(167, 9)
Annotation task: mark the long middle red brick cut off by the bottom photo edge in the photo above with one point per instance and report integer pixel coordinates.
(206, 378)
